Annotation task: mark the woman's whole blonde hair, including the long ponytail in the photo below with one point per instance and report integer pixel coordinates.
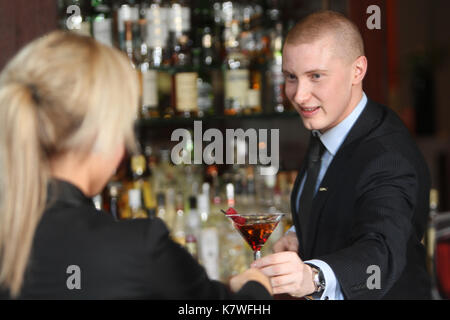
(61, 92)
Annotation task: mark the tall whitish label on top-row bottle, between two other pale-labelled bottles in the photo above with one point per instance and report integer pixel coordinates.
(157, 31)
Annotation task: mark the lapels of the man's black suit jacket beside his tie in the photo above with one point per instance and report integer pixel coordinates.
(369, 119)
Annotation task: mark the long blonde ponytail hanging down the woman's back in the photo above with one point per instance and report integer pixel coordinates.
(23, 183)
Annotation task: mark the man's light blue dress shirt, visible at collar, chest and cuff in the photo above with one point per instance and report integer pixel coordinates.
(332, 140)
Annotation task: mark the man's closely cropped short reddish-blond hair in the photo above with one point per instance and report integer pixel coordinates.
(328, 23)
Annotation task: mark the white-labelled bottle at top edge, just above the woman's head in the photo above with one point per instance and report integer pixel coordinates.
(101, 21)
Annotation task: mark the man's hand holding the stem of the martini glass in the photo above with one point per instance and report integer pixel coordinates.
(287, 273)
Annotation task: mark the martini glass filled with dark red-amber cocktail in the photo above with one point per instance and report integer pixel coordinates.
(256, 228)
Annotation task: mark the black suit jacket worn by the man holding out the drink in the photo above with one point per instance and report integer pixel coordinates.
(373, 212)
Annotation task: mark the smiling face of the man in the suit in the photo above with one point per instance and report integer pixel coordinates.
(318, 83)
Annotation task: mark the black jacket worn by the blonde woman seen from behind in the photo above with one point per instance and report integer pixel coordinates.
(132, 259)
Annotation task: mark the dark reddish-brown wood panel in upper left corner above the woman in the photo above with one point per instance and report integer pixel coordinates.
(22, 21)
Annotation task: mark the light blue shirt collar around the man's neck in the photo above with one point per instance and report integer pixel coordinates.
(333, 138)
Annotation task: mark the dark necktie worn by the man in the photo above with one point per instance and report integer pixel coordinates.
(316, 150)
